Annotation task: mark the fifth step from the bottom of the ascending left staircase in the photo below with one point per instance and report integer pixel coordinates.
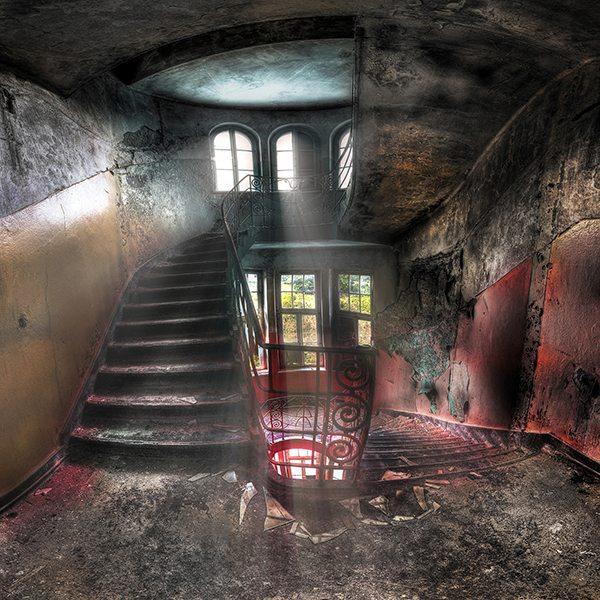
(171, 328)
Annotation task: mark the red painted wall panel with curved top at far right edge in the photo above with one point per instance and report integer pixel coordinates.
(566, 401)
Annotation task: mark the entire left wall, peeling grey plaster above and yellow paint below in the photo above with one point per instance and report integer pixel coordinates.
(69, 240)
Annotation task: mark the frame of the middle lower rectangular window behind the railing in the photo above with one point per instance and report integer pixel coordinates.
(280, 311)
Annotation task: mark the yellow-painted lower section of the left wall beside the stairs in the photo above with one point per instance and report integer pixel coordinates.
(61, 272)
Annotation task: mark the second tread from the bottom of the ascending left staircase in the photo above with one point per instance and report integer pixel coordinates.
(164, 401)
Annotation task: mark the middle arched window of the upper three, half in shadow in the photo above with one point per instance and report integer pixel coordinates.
(296, 160)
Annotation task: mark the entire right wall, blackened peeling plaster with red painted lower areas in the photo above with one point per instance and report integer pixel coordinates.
(483, 259)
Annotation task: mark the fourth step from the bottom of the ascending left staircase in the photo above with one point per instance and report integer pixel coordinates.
(178, 349)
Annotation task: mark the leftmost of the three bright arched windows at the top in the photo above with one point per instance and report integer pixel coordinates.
(234, 156)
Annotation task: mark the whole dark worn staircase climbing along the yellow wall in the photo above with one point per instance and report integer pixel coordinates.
(167, 380)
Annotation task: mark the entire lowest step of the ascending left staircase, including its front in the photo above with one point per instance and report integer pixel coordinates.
(161, 435)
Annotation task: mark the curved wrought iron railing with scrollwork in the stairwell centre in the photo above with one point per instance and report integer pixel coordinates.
(315, 421)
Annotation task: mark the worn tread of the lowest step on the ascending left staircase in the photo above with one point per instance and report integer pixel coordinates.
(162, 433)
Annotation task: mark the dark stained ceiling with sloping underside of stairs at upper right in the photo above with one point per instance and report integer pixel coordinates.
(438, 79)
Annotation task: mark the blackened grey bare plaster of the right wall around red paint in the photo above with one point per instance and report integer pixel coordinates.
(535, 181)
